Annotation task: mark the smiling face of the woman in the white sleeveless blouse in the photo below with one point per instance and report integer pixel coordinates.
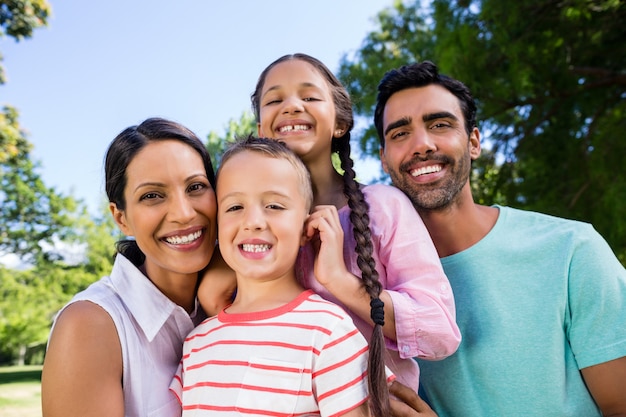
(170, 209)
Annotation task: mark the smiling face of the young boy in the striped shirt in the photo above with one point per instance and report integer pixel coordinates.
(261, 215)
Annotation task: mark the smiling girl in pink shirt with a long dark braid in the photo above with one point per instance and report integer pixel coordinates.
(390, 257)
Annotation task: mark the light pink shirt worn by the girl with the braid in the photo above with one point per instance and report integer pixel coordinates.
(410, 271)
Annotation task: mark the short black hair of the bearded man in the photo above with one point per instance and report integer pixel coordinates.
(421, 75)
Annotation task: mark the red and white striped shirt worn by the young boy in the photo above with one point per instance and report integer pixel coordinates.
(305, 358)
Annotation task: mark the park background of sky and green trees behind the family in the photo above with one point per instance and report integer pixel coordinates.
(549, 77)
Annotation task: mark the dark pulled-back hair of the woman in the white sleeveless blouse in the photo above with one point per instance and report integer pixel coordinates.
(123, 150)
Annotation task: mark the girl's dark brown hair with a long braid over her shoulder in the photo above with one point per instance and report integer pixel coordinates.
(359, 217)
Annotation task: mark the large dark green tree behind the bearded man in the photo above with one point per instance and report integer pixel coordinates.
(550, 82)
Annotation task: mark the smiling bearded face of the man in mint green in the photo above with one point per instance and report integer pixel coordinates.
(427, 150)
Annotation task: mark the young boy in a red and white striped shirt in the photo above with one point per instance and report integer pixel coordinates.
(278, 349)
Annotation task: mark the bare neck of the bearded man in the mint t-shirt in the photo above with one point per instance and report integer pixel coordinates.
(460, 225)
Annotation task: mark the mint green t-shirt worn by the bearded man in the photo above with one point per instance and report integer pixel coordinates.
(537, 299)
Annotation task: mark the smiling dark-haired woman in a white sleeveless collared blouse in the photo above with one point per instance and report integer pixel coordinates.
(114, 348)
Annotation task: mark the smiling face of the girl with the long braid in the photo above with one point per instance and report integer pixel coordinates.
(296, 106)
